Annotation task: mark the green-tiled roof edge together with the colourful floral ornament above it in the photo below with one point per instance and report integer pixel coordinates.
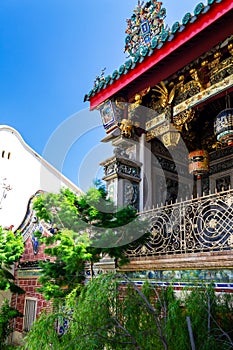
(146, 35)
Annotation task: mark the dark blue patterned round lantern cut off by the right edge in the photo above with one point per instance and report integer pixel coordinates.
(223, 126)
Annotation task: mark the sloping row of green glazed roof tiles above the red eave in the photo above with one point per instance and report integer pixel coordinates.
(156, 43)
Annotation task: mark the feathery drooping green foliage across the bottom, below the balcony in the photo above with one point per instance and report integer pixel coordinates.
(113, 313)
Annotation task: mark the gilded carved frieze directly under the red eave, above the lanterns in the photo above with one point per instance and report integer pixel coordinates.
(207, 76)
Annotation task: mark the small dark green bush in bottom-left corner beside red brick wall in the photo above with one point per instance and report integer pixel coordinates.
(7, 313)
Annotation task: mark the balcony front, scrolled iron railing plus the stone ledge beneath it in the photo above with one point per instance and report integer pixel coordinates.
(196, 233)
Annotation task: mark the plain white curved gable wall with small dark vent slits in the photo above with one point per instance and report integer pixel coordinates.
(22, 173)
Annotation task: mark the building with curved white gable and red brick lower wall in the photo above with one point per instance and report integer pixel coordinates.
(24, 174)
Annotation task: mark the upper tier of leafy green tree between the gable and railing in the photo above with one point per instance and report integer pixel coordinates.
(111, 228)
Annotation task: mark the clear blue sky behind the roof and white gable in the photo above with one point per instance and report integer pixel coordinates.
(51, 52)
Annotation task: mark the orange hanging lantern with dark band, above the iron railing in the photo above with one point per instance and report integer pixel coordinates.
(198, 163)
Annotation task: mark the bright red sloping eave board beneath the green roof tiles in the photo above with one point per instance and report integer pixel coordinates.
(215, 12)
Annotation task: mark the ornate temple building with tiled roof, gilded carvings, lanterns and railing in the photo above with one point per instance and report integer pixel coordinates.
(168, 112)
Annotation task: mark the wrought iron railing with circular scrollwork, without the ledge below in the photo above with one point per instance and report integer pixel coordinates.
(203, 224)
